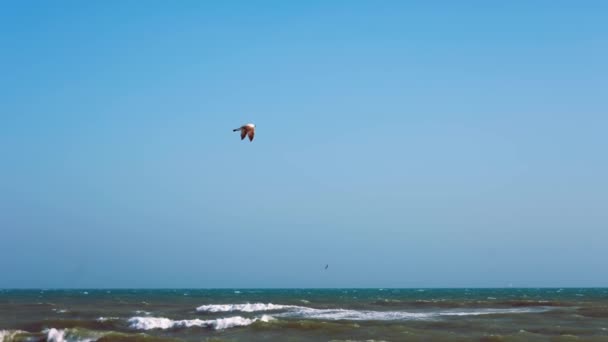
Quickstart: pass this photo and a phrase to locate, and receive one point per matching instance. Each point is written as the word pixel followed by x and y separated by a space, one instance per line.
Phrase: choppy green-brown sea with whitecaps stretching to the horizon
pixel 379 314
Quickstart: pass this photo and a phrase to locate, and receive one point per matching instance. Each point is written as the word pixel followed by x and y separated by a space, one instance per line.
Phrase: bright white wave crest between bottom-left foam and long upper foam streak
pixel 150 323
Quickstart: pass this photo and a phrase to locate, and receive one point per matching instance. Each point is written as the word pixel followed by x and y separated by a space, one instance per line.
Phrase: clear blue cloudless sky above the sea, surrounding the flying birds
pixel 404 143
